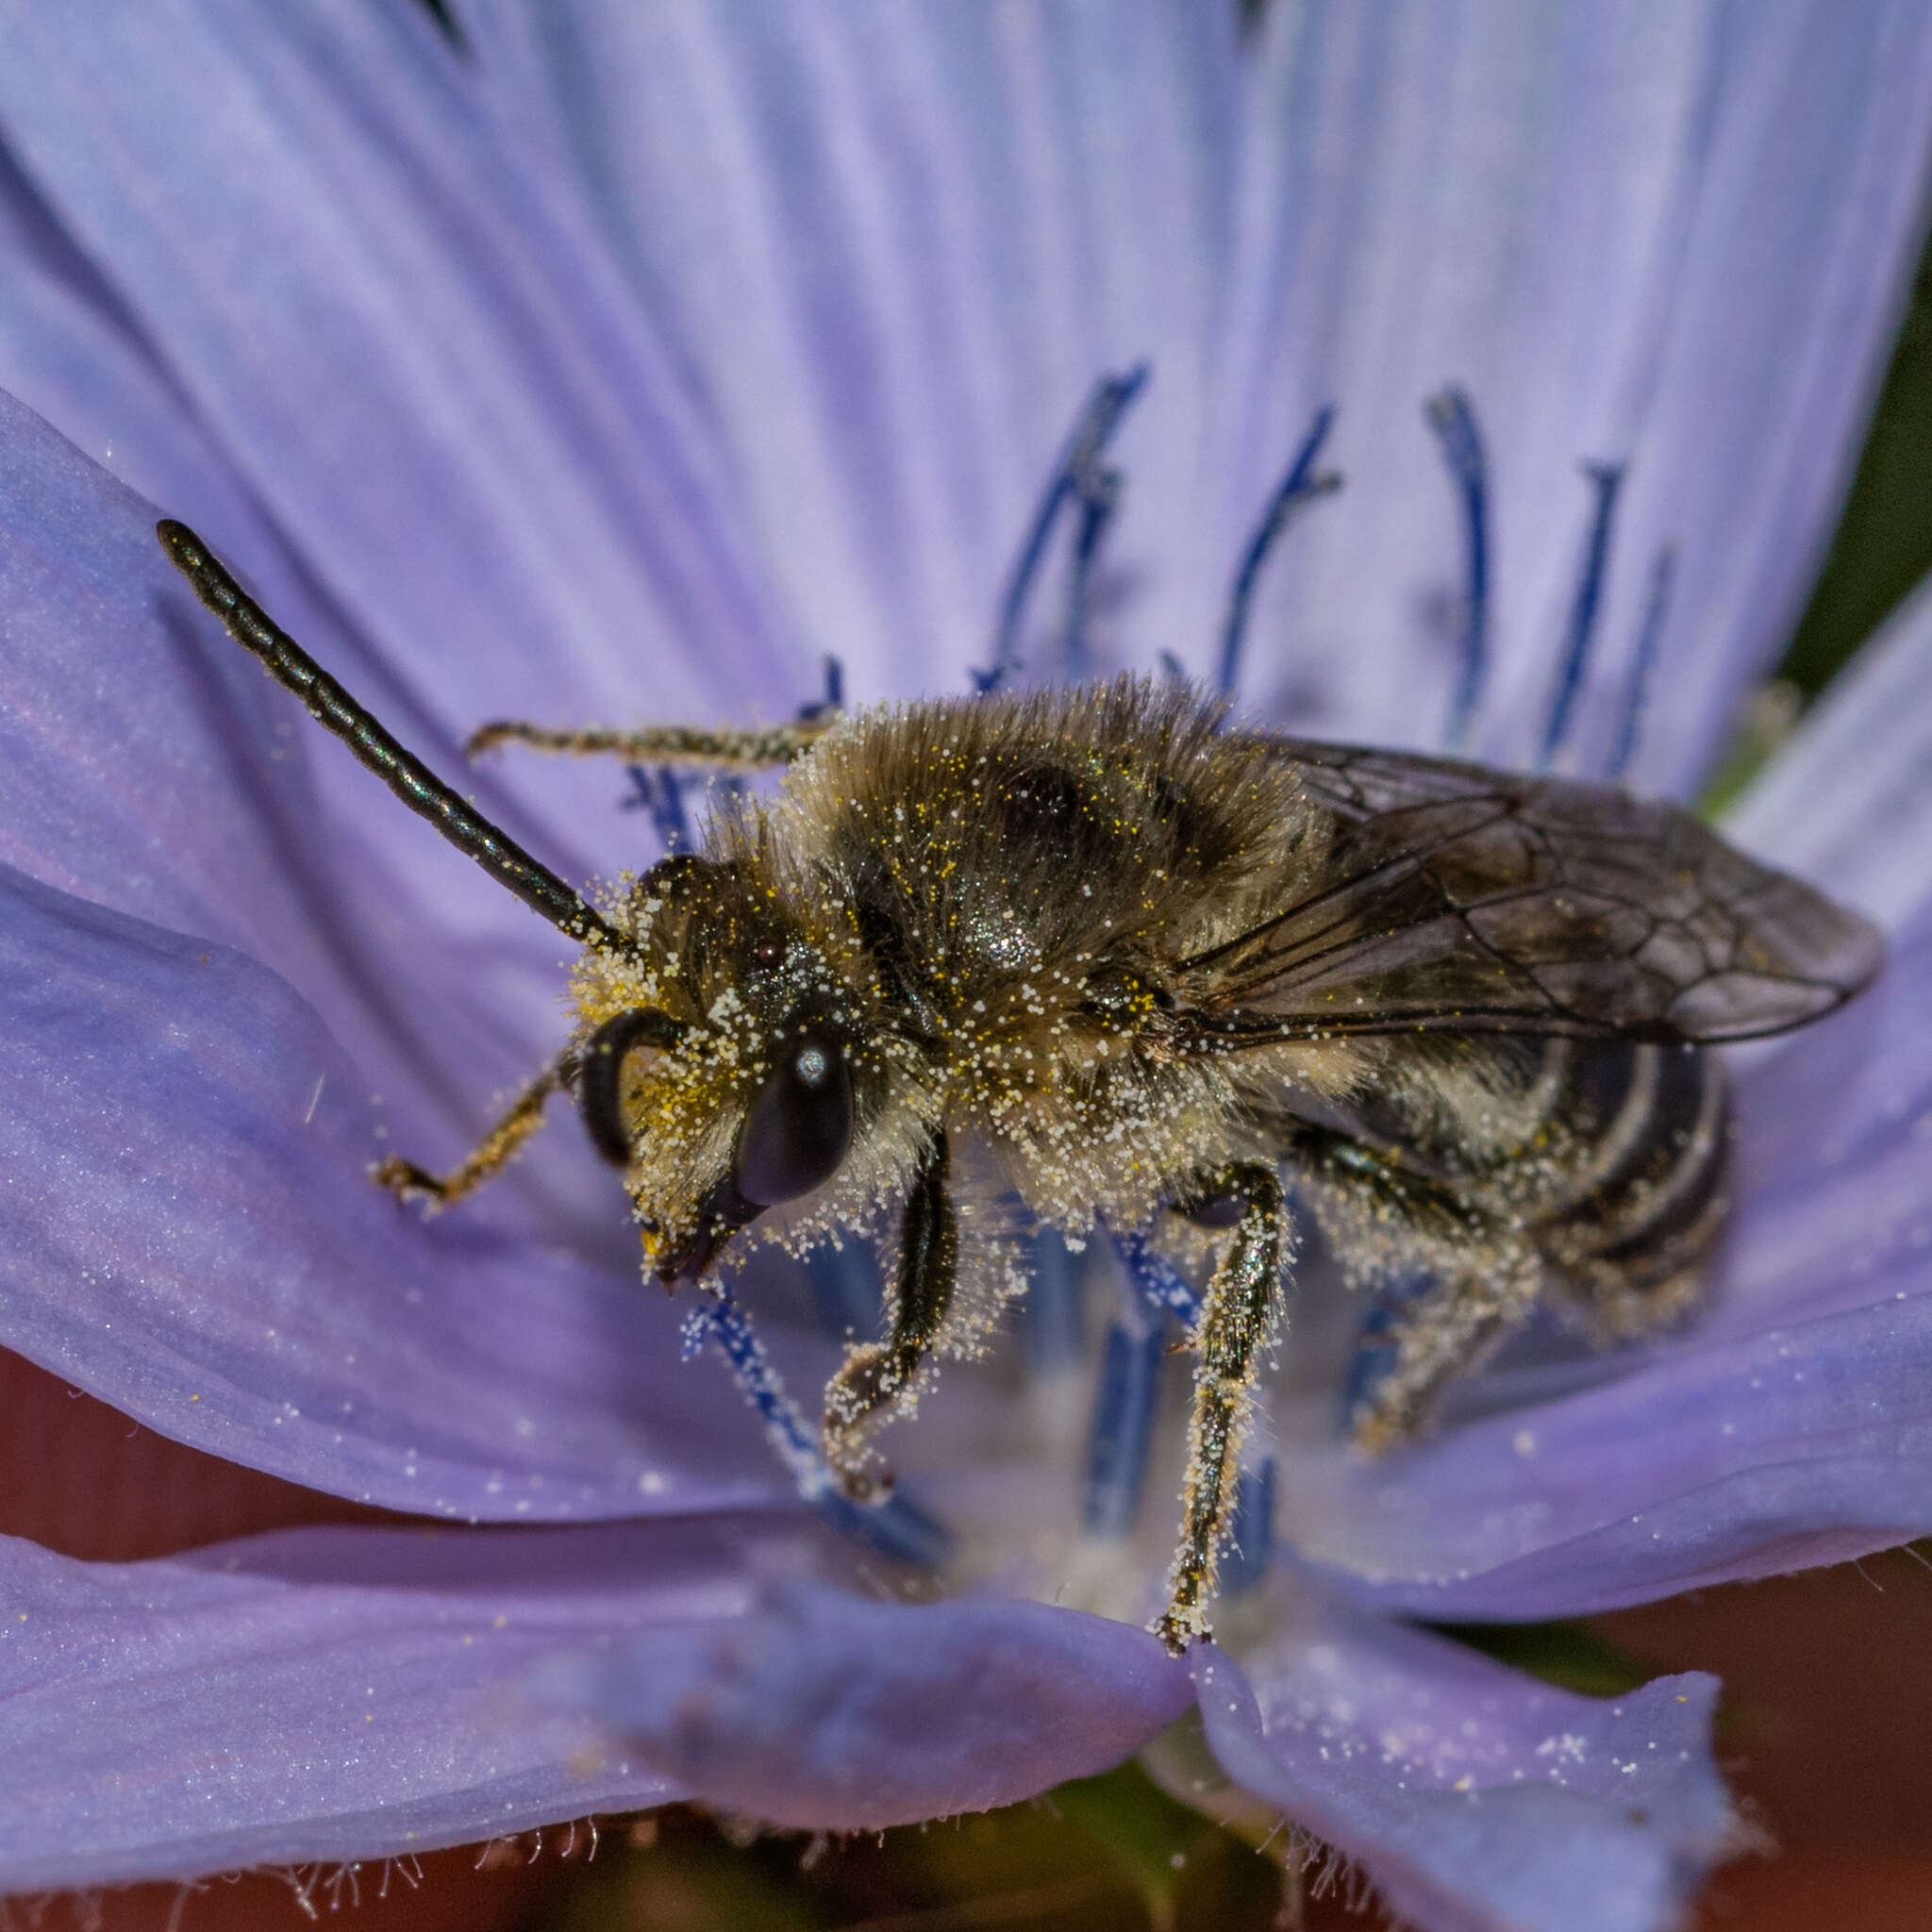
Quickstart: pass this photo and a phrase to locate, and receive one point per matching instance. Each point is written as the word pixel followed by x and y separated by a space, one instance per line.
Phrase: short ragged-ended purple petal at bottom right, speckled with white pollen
pixel 1475 1800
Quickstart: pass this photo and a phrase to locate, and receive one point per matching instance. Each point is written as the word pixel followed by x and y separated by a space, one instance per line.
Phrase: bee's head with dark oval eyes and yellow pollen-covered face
pixel 714 1060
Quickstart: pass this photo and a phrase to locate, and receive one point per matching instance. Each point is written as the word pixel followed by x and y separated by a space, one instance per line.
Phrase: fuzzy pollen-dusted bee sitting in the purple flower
pixel 1110 953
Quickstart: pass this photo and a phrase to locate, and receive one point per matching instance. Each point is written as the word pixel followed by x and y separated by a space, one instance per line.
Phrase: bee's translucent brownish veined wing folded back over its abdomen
pixel 1456 899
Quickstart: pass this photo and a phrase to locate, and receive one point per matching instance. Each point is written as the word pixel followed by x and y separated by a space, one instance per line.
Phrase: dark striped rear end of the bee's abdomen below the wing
pixel 1645 1191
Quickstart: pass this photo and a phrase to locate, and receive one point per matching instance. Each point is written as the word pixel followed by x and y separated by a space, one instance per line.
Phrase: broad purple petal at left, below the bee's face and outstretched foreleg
pixel 196 1241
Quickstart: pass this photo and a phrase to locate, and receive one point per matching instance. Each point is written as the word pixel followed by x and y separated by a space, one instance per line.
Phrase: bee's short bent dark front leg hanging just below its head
pixel 874 1377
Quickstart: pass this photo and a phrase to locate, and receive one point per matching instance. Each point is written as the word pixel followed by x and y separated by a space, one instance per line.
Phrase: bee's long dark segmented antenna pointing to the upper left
pixel 403 772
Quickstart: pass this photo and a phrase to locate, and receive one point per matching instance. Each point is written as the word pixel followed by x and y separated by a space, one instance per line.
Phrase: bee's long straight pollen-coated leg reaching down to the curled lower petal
pixel 1236 1326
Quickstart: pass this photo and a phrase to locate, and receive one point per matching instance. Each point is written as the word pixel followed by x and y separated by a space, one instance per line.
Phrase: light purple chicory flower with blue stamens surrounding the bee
pixel 623 362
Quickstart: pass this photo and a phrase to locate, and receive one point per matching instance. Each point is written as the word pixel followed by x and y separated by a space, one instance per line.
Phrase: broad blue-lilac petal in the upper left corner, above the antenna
pixel 405 341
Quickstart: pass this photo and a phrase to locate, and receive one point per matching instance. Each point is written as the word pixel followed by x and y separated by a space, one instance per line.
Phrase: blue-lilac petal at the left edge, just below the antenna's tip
pixel 140 764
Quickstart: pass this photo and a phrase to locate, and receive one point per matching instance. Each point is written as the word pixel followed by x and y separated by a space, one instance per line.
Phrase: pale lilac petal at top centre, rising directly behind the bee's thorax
pixel 901 246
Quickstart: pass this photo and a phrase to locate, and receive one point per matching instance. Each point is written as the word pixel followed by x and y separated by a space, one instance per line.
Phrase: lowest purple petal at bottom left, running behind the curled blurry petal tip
pixel 320 1693
